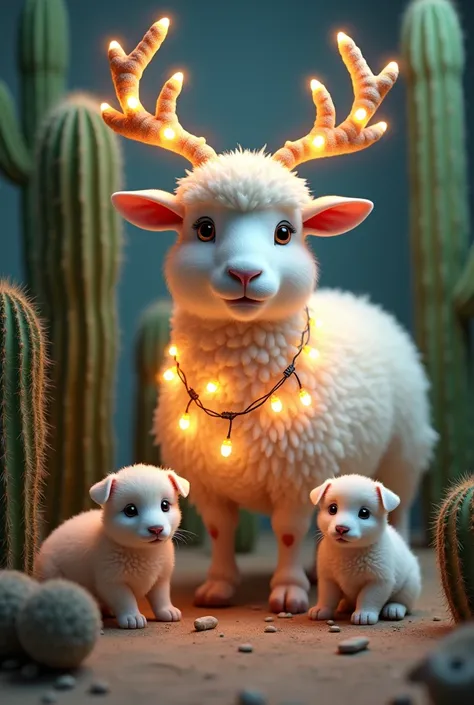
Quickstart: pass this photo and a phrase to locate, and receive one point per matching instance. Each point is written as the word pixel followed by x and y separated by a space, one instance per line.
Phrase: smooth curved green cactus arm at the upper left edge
pixel 15 161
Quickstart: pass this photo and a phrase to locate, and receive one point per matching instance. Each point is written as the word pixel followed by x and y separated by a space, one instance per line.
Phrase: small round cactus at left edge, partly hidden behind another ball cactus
pixel 15 589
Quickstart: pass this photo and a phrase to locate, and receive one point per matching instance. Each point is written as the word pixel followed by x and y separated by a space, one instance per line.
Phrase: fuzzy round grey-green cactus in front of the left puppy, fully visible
pixel 59 625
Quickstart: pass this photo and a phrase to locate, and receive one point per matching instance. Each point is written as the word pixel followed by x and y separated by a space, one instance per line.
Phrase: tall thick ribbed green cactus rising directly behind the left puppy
pixel 78 246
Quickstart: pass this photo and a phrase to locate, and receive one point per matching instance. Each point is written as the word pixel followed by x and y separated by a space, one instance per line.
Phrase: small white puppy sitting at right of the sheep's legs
pixel 362 562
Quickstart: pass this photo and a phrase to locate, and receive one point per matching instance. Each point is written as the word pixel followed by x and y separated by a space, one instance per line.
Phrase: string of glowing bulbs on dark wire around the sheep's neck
pixel 212 387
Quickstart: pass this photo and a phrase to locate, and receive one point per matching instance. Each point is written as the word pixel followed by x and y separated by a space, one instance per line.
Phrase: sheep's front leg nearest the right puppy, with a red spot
pixel 290 584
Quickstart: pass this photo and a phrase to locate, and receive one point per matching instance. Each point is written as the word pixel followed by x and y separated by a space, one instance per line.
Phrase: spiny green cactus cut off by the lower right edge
pixel 455 549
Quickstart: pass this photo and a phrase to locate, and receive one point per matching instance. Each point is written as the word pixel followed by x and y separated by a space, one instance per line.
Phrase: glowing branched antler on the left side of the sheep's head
pixel 162 129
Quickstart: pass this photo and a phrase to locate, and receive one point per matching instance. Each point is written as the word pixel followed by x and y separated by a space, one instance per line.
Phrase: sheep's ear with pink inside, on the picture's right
pixel 334 215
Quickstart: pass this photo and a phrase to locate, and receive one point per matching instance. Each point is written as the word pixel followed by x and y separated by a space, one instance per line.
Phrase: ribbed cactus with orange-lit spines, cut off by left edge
pixel 22 428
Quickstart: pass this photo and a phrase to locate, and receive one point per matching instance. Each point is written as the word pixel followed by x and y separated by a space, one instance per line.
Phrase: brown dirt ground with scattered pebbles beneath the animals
pixel 298 665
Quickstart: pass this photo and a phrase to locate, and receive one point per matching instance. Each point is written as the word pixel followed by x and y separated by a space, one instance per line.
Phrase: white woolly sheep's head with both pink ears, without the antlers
pixel 242 221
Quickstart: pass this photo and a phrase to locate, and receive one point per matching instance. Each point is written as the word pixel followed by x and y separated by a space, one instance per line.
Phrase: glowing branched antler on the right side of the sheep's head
pixel 353 134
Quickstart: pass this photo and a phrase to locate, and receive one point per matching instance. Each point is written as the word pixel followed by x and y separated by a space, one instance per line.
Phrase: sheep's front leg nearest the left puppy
pixel 221 519
